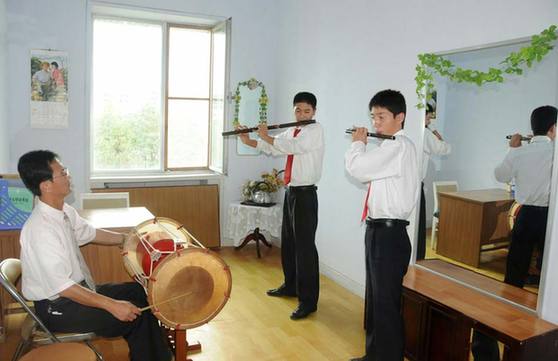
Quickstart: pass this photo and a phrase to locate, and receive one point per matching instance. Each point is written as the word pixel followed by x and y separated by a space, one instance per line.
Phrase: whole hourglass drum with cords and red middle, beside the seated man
pixel 186 284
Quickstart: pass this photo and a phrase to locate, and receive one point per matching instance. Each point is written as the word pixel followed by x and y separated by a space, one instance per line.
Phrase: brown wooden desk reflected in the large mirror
pixel 470 219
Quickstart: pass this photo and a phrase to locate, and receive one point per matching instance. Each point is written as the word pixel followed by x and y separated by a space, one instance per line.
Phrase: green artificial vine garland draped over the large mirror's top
pixel 512 64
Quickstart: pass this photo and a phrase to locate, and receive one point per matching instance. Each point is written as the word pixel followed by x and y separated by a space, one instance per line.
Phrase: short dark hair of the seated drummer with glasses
pixel 34 168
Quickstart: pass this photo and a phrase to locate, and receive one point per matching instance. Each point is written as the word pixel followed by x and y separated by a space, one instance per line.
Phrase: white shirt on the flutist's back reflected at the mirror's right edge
pixel 530 166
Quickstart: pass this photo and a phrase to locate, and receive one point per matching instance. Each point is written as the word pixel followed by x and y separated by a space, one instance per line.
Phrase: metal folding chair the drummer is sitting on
pixel 33 330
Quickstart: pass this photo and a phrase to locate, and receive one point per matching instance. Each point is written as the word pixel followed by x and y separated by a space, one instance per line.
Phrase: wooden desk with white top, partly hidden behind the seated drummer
pixel 105 262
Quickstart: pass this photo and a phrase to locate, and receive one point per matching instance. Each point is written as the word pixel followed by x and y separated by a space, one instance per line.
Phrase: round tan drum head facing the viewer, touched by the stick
pixel 189 288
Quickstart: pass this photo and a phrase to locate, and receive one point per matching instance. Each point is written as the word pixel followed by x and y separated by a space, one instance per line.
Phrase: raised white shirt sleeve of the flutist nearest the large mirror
pixel 379 163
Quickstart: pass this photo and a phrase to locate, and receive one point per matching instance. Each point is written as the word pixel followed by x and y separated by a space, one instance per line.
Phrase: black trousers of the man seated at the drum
pixel 143 335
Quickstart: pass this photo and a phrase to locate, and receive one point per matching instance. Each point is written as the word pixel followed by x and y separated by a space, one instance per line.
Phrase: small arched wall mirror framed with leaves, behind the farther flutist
pixel 250 109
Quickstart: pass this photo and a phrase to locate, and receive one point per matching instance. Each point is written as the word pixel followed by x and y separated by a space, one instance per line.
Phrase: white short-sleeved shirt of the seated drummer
pixel 50 255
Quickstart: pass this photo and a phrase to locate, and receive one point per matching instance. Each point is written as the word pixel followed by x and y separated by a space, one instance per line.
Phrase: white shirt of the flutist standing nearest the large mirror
pixel 392 169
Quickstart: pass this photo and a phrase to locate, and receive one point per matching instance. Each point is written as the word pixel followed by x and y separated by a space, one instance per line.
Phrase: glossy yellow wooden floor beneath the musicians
pixel 254 326
